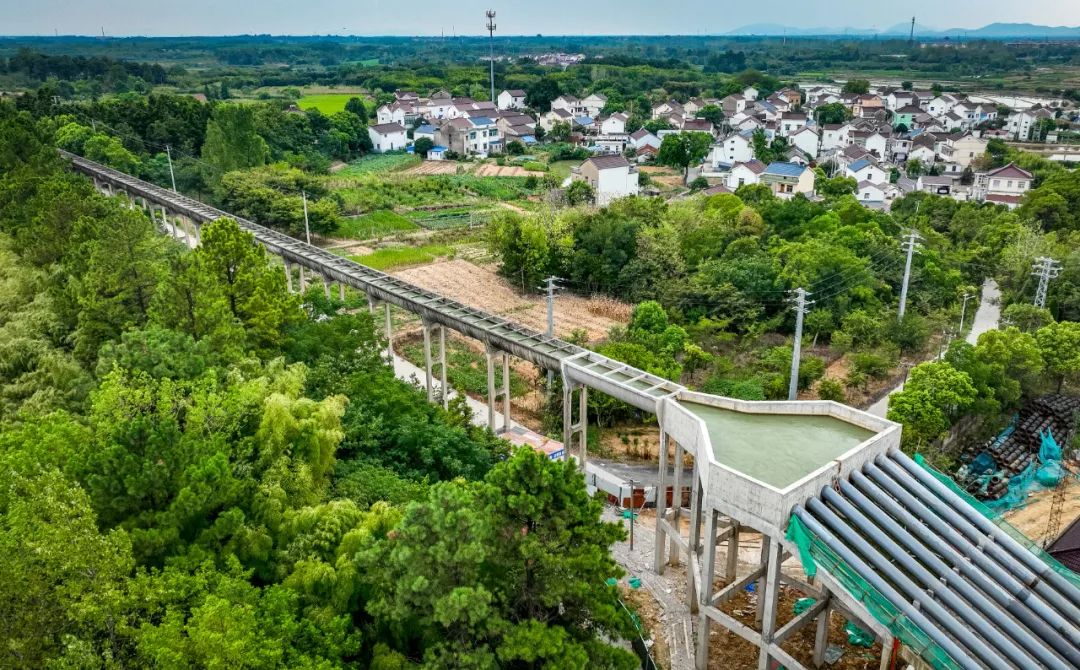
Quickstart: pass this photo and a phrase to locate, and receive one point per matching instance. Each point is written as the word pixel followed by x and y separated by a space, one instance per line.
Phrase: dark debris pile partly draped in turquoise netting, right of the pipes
pixel 1025 454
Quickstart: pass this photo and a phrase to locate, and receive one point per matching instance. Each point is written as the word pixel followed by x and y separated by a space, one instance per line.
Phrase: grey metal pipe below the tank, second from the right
pixel 971 553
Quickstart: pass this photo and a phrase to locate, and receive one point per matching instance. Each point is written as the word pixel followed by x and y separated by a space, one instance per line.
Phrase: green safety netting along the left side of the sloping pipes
pixel 814 553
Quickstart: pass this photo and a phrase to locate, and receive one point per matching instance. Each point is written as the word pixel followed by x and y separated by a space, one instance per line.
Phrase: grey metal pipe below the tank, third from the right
pixel 875 501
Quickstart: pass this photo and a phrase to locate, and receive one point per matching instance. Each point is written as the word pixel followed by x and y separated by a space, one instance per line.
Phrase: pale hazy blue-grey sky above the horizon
pixel 121 18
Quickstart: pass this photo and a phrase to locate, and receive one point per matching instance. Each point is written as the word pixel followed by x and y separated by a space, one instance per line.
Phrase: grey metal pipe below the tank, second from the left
pixel 933 608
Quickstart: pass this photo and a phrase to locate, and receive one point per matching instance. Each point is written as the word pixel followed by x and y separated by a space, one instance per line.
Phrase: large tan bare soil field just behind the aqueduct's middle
pixel 481 288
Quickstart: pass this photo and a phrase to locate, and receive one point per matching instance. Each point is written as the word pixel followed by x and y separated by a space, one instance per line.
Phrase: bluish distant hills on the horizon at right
pixel 993 32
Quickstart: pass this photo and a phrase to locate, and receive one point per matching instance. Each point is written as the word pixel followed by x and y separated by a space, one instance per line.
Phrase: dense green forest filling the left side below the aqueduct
pixel 199 470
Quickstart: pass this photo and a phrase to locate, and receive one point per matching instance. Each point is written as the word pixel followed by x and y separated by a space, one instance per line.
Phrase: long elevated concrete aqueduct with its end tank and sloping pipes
pixel 896 550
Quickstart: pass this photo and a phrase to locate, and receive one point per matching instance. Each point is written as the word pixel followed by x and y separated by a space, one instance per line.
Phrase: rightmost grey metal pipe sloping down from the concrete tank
pixel 948 510
